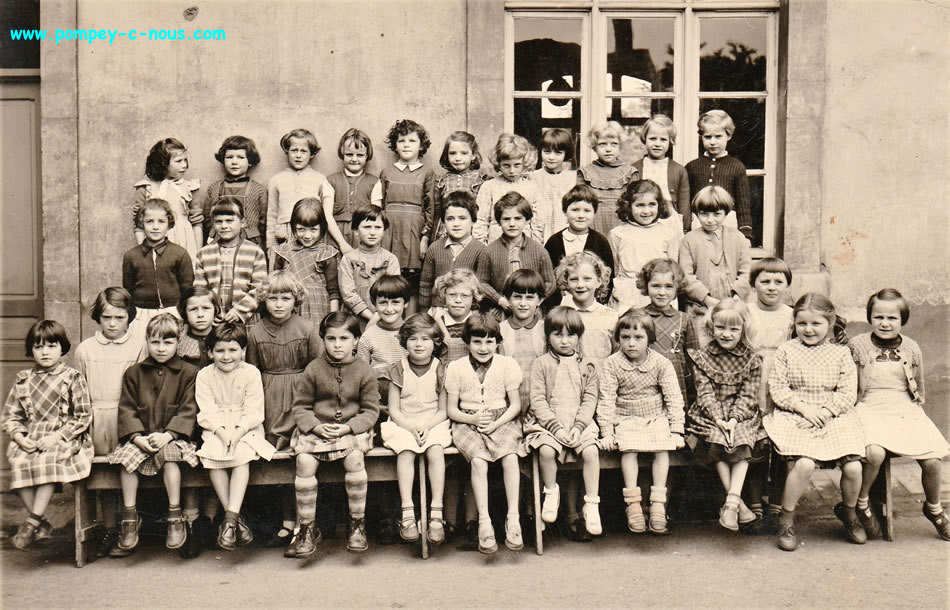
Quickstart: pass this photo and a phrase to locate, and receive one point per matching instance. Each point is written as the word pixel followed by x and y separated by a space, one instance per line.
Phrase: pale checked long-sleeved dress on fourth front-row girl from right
pixel 640 404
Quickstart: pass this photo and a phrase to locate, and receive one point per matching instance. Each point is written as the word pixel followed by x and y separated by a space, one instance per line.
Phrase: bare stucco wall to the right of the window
pixel 886 150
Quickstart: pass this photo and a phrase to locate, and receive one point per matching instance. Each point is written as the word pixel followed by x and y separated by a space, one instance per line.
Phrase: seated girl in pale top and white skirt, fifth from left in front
pixel 418 422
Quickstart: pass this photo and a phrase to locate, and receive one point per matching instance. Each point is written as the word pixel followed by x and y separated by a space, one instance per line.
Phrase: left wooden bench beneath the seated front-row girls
pixel 380 466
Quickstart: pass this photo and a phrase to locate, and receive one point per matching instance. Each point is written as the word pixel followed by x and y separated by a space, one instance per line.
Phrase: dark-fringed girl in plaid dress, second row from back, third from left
pixel 311 259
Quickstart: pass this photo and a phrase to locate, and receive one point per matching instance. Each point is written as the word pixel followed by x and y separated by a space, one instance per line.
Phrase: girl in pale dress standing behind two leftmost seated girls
pixel 102 359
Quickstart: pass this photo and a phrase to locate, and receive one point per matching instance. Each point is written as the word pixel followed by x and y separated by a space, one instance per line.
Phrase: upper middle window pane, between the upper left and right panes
pixel 640 55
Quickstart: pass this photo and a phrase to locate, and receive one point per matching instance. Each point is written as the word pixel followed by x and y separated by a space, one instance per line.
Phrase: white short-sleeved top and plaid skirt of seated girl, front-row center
pixel 475 395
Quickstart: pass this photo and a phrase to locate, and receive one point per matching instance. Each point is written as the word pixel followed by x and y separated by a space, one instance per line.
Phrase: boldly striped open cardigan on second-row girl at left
pixel 250 271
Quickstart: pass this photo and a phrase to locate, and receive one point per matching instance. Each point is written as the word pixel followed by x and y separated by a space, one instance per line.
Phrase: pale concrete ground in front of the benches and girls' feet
pixel 700 564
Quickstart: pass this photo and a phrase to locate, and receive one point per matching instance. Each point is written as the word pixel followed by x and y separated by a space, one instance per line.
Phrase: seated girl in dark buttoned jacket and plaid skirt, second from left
pixel 156 419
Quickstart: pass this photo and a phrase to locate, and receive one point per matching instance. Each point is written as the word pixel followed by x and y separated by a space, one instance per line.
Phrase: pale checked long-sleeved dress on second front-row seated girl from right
pixel 820 376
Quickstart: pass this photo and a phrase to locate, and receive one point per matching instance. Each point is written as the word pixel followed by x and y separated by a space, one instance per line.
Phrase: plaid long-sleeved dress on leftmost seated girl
pixel 43 402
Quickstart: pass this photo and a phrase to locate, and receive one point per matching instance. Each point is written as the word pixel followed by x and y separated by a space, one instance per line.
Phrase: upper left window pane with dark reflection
pixel 547 54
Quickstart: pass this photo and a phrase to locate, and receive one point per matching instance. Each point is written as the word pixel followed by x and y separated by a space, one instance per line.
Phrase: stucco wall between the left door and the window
pixel 326 67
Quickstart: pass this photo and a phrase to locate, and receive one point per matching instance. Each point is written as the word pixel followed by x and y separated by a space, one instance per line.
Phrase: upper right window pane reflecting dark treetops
pixel 732 53
